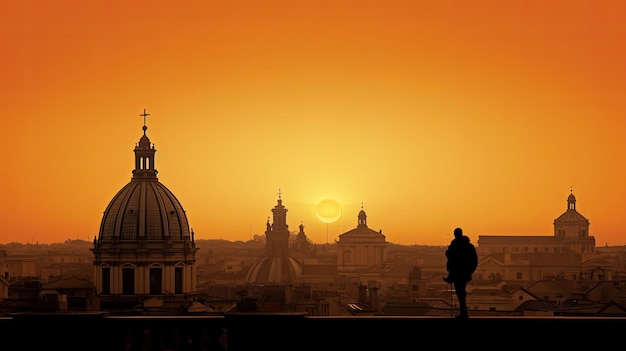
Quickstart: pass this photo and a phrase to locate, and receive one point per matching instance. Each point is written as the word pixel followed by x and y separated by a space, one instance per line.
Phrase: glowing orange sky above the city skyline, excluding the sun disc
pixel 429 114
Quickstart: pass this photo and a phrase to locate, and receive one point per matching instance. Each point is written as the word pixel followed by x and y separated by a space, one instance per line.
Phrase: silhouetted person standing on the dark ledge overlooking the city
pixel 462 262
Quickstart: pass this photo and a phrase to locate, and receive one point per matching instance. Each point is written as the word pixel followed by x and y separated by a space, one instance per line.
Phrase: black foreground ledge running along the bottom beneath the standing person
pixel 254 331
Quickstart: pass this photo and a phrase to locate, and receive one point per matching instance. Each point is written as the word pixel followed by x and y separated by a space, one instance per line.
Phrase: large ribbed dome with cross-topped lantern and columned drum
pixel 145 247
